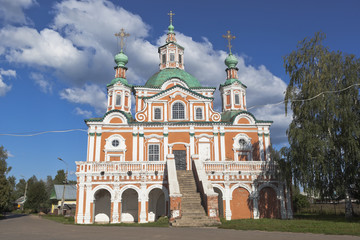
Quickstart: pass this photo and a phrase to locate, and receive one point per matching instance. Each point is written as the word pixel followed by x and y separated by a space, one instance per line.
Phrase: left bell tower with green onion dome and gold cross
pixel 119 90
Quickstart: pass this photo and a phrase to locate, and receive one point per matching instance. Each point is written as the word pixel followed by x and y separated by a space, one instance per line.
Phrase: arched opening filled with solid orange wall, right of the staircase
pixel 241 205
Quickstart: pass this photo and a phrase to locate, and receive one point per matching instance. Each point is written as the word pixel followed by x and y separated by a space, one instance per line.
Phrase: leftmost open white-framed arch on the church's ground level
pixel 102 206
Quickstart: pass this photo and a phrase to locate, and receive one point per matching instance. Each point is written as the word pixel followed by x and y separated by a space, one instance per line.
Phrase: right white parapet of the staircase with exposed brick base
pixel 204 186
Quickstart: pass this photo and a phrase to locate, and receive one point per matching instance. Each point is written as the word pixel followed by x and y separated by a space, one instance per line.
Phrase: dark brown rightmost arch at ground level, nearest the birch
pixel 268 203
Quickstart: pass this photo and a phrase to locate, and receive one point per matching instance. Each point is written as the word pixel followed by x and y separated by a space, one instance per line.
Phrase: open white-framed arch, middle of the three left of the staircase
pixel 129 206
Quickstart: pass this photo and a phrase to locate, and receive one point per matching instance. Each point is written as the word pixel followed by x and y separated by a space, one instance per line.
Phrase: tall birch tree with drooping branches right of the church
pixel 324 135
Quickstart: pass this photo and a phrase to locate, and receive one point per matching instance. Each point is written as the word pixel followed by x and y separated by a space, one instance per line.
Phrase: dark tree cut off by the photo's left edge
pixel 5 185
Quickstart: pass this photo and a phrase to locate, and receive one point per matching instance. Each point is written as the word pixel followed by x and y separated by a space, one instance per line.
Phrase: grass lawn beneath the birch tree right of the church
pixel 306 223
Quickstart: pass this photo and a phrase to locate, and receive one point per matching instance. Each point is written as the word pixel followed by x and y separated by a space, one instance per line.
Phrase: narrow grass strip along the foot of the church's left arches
pixel 161 222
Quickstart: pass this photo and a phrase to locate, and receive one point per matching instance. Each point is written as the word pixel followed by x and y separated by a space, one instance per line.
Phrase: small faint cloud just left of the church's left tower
pixel 90 94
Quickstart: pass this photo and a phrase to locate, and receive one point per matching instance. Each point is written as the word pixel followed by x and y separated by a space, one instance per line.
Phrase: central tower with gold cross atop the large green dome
pixel 171 54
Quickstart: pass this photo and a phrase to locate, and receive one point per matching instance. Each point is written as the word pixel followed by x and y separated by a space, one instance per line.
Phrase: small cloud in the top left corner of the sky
pixel 12 11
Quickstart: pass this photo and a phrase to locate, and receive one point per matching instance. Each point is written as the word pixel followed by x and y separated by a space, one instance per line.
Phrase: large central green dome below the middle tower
pixel 168 73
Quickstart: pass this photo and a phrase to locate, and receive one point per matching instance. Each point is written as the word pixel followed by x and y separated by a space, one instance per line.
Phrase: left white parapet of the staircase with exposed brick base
pixel 174 189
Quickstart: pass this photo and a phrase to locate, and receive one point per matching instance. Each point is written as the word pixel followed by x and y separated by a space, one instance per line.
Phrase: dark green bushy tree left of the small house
pixel 37 197
